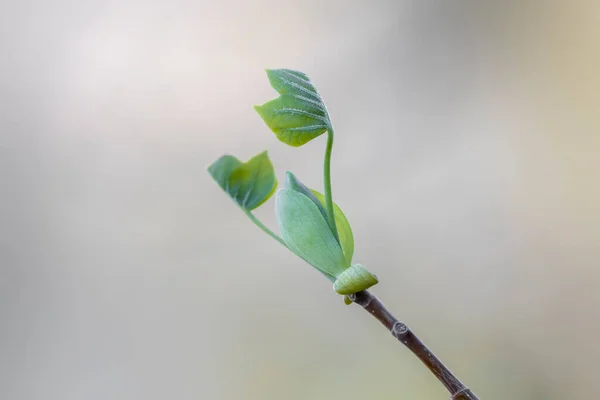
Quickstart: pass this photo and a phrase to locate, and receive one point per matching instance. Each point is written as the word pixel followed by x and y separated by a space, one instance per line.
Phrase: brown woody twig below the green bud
pixel 403 333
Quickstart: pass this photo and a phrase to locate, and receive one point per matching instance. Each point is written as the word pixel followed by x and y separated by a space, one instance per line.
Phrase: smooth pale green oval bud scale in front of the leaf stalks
pixel 307 234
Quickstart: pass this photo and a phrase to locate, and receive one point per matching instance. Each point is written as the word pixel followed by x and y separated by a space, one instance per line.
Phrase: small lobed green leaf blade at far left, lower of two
pixel 249 184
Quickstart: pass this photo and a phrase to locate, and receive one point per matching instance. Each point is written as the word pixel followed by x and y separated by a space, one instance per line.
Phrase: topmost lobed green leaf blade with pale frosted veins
pixel 299 114
